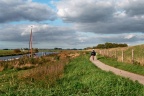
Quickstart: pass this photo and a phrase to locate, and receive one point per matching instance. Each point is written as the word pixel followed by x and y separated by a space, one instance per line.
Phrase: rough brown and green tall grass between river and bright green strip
pixel 35 81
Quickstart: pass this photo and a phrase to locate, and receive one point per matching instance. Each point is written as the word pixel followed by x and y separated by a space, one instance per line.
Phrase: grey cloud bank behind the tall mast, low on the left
pixel 42 33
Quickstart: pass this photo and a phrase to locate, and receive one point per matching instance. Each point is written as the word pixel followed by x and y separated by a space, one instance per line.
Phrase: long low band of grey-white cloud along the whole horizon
pixel 47 36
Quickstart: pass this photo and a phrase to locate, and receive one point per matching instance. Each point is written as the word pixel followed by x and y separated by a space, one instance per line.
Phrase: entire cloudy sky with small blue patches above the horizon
pixel 70 23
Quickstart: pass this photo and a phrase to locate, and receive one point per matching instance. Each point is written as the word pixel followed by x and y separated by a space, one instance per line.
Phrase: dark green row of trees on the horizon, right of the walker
pixel 109 45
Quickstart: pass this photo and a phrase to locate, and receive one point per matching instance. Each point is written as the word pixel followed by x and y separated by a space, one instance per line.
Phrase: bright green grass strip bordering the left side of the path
pixel 82 78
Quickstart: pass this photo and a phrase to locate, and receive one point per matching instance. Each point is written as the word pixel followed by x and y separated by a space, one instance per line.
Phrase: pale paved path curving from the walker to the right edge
pixel 116 71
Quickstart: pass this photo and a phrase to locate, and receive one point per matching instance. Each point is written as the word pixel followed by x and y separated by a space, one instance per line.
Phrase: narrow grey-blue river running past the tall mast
pixel 18 56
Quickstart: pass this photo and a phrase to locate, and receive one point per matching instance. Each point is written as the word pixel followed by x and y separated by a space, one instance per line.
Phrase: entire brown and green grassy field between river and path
pixel 75 77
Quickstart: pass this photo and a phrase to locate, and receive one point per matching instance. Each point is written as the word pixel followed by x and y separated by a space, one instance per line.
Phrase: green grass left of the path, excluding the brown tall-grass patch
pixel 80 78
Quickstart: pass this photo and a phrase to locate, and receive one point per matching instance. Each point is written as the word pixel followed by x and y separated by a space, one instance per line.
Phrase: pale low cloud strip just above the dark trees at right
pixel 119 38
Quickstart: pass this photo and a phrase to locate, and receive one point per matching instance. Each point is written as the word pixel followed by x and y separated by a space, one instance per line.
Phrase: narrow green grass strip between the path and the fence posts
pixel 134 68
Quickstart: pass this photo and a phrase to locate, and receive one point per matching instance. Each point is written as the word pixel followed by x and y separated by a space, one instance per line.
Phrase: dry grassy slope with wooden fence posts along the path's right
pixel 128 55
